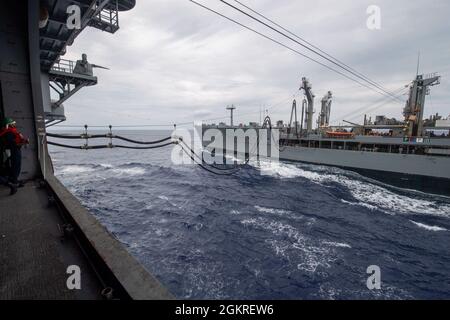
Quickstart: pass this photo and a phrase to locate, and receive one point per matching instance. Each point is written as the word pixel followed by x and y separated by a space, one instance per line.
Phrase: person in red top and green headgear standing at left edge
pixel 11 141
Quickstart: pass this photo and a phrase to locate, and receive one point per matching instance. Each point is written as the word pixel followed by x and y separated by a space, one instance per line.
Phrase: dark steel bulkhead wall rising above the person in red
pixel 17 80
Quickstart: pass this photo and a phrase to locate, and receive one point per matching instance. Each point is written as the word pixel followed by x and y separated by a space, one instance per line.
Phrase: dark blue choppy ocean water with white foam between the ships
pixel 299 231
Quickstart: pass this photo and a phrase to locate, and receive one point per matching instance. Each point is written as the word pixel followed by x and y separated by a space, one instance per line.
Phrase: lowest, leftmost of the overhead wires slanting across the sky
pixel 289 48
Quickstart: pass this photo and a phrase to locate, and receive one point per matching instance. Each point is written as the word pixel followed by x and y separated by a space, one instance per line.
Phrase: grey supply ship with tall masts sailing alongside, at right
pixel 406 153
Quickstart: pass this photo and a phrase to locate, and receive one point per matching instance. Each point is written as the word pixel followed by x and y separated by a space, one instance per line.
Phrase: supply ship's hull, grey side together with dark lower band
pixel 428 173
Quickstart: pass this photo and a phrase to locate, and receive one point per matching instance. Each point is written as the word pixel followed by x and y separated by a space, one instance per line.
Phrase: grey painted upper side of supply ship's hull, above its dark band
pixel 412 164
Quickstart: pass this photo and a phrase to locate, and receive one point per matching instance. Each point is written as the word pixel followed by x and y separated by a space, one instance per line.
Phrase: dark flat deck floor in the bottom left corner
pixel 33 254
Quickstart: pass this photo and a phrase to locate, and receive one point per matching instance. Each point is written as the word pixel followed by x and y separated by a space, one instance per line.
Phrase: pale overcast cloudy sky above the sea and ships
pixel 173 62
